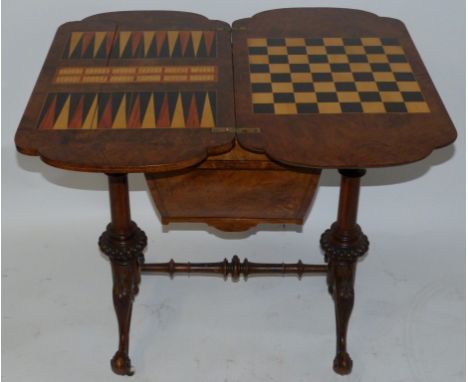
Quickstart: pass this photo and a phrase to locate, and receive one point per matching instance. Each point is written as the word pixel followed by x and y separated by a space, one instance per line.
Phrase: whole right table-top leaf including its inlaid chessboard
pixel 334 88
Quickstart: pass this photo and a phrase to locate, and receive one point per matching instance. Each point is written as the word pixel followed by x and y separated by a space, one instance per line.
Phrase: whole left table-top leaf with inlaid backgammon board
pixel 132 92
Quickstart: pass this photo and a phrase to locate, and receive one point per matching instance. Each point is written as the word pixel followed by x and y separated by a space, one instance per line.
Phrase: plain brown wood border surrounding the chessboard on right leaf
pixel 336 140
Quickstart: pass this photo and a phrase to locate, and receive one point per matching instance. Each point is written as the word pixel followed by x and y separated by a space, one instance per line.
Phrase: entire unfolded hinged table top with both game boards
pixel 154 91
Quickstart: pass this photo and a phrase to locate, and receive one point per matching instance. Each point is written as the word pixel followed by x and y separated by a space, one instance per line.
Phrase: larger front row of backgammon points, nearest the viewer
pixel 119 110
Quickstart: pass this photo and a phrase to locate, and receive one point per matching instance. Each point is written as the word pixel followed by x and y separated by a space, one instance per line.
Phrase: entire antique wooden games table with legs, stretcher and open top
pixel 231 127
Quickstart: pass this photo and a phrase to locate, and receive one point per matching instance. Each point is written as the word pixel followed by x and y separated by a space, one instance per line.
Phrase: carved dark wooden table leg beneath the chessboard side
pixel 343 244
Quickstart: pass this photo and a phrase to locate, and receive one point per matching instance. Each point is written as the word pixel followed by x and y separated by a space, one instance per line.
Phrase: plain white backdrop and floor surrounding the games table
pixel 58 321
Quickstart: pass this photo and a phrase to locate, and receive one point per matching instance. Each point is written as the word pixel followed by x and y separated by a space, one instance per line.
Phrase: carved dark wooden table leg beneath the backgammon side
pixel 123 242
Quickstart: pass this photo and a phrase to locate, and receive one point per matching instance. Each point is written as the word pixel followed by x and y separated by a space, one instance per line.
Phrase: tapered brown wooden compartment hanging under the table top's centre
pixel 234 192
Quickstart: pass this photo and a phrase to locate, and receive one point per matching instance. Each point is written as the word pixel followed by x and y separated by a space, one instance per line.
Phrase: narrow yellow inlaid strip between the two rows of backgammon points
pixel 141 74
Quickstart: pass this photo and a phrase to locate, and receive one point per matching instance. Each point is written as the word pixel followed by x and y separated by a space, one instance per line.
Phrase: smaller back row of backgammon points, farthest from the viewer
pixel 141 44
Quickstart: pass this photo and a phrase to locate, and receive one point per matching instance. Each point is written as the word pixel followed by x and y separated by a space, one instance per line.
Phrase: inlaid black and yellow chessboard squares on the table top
pixel 332 75
